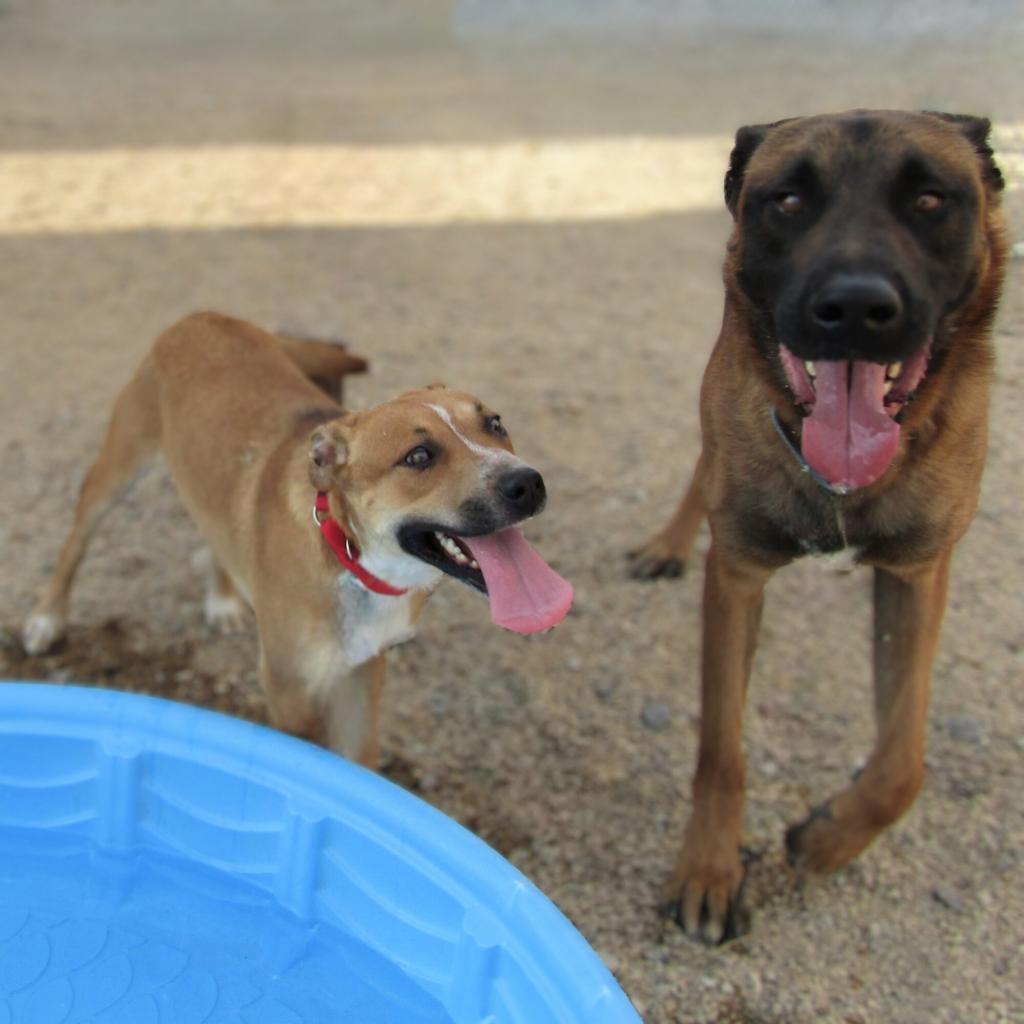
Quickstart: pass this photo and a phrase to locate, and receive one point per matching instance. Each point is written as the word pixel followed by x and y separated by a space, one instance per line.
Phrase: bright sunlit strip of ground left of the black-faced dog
pixel 355 186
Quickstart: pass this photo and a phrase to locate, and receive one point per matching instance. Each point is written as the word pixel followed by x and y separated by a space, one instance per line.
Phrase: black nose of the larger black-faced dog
pixel 857 310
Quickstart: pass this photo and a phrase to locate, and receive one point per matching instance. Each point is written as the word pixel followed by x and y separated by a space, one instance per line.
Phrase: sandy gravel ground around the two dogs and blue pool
pixel 570 753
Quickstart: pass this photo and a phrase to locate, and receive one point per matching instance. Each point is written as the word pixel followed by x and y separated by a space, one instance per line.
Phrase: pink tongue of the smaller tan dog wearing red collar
pixel 527 594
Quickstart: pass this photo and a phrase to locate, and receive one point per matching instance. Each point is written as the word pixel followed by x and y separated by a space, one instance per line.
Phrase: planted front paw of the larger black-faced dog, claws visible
pixel 705 899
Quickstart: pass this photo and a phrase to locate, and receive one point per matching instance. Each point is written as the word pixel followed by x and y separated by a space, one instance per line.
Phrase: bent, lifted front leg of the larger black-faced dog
pixel 909 608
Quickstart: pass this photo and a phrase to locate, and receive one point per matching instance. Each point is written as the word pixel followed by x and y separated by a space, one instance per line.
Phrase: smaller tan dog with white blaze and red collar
pixel 422 487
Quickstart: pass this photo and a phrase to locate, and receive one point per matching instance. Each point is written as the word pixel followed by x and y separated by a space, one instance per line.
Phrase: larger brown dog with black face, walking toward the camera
pixel 844 409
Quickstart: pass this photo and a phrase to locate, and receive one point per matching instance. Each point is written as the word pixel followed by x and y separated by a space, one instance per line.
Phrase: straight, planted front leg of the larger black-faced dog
pixel 704 892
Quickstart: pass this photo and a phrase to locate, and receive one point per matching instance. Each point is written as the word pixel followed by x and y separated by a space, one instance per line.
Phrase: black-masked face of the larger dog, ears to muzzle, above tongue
pixel 860 234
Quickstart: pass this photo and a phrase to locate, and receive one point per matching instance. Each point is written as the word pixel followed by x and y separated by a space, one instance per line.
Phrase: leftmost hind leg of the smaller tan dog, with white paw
pixel 133 437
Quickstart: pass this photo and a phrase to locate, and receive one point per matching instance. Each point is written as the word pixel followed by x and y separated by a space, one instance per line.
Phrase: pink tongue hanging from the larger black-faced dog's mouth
pixel 848 438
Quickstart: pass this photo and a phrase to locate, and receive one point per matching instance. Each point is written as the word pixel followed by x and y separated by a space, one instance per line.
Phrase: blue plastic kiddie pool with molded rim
pixel 161 865
